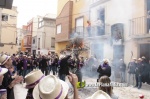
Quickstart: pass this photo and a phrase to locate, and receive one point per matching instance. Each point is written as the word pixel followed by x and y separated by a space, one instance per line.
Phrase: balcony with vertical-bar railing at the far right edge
pixel 140 27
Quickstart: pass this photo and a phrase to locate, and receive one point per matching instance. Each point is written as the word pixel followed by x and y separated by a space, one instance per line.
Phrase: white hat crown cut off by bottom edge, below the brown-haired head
pixel 99 95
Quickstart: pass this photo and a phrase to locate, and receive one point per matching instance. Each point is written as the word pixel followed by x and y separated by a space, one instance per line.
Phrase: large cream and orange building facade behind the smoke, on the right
pixel 112 29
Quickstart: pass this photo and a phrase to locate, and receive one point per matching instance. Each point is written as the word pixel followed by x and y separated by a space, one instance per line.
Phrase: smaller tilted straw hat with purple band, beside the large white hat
pixel 33 78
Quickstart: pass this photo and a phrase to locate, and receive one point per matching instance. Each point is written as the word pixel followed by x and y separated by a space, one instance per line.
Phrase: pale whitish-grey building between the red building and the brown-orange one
pixel 45 39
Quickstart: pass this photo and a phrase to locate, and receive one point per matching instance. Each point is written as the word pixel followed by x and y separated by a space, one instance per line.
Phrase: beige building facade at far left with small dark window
pixel 8 27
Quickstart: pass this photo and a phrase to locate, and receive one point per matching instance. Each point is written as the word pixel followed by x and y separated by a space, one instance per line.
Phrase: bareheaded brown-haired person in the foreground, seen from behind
pixel 105 80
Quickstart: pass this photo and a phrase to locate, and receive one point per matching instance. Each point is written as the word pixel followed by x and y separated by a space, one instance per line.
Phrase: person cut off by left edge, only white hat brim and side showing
pixel 3 94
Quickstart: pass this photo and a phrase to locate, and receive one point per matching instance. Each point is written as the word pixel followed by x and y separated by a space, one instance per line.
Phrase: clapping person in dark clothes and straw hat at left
pixel 8 82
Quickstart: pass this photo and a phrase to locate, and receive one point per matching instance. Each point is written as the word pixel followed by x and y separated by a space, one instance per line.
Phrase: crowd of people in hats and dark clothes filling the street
pixel 34 71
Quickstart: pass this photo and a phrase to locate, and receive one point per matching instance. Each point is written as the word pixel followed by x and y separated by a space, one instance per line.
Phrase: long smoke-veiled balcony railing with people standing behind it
pixel 93 31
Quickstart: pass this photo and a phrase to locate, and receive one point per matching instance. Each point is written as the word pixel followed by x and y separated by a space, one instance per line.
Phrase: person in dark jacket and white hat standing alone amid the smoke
pixel 104 69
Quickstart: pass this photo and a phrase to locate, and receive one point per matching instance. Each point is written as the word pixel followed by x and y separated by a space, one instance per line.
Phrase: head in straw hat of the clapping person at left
pixel 6 61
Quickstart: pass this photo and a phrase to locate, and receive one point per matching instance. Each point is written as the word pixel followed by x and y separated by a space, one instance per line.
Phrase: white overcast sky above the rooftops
pixel 27 9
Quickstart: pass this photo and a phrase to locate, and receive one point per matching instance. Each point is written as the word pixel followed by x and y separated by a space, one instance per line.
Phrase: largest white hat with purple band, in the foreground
pixel 50 87
